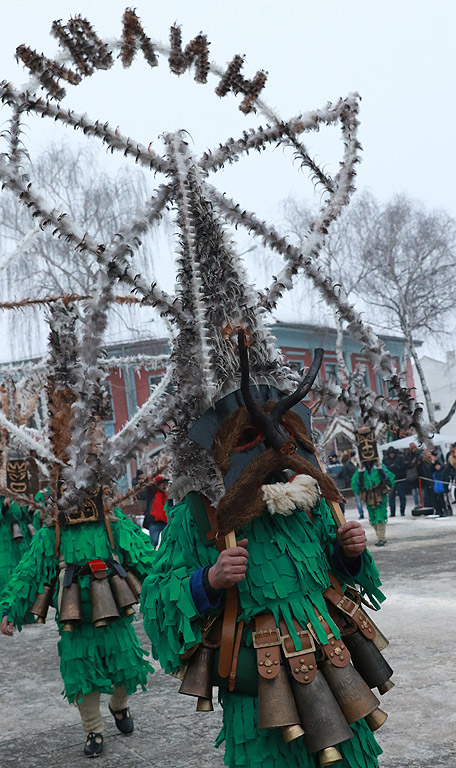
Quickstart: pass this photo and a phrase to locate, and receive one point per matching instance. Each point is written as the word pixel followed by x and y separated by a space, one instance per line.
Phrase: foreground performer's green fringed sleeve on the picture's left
pixel 170 616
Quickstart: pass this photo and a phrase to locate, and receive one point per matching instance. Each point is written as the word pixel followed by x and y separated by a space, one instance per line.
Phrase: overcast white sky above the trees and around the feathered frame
pixel 399 54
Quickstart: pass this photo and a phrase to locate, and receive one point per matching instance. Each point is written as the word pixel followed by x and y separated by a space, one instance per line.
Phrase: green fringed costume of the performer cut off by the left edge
pixel 12 551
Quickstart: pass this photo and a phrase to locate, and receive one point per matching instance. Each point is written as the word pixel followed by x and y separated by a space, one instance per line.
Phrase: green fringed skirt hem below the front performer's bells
pixel 248 747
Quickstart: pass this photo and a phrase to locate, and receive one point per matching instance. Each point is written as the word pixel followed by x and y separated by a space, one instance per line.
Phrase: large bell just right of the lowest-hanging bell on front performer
pixel 353 695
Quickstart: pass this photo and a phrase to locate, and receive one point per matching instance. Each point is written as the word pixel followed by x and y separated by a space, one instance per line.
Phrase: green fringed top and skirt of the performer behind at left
pixel 91 659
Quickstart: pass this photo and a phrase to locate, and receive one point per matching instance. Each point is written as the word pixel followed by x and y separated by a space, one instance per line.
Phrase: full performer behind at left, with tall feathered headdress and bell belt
pixel 89 563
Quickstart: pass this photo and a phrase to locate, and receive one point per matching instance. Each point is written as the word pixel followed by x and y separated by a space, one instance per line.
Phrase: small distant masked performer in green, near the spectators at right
pixel 372 483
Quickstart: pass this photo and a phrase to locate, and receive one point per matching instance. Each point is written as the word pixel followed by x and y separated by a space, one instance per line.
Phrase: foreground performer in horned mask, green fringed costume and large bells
pixel 257 593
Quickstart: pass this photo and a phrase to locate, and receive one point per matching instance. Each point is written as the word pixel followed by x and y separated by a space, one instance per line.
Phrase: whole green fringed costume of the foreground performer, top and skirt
pixel 287 572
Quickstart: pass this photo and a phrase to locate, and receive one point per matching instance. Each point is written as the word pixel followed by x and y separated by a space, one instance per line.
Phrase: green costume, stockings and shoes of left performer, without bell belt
pixel 93 660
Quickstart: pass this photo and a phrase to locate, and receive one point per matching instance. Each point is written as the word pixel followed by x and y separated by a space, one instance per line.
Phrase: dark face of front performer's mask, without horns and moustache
pixel 227 431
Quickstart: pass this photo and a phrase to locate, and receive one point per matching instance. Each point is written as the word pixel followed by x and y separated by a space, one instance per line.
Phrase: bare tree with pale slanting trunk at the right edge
pixel 408 270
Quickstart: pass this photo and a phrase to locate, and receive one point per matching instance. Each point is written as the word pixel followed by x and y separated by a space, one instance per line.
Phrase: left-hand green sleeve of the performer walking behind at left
pixel 36 568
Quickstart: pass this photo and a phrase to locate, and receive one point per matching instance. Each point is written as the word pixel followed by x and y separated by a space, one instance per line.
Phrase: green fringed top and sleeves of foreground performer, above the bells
pixel 287 572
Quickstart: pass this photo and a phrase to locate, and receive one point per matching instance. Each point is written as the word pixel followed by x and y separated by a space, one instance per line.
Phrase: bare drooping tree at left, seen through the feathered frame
pixel 33 262
